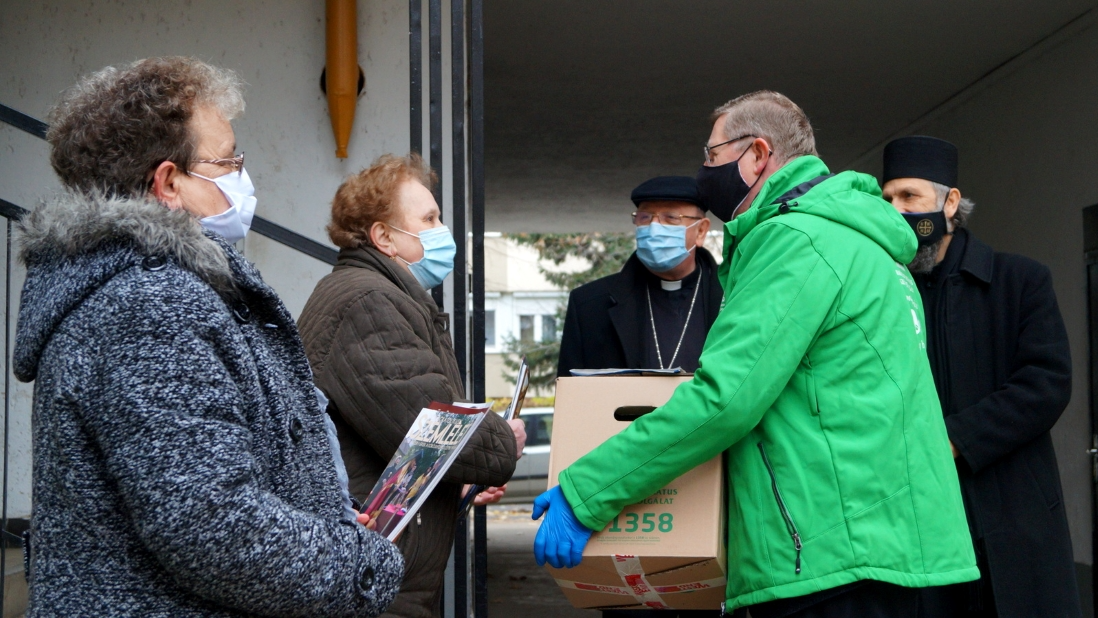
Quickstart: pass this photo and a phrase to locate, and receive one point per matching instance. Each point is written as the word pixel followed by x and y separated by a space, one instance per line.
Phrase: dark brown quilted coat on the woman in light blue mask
pixel 382 351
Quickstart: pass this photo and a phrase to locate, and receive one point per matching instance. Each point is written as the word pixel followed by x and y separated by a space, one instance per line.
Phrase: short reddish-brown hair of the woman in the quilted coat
pixel 371 196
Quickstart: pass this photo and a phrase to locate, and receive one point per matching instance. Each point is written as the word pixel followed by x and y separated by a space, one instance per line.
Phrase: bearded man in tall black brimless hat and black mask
pixel 999 353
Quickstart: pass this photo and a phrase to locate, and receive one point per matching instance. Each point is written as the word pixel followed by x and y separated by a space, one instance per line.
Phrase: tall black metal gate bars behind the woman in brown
pixel 466 216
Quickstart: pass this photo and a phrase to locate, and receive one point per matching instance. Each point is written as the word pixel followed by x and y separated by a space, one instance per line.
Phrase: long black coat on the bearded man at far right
pixel 1007 380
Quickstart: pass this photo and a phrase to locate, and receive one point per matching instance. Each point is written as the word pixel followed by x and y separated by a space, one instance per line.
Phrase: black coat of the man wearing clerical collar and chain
pixel 608 320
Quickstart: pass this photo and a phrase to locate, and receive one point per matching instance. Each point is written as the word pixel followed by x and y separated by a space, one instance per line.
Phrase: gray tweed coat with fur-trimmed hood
pixel 181 460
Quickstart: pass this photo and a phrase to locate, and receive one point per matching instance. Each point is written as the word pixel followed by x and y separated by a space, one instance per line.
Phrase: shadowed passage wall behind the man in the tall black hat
pixel 1028 159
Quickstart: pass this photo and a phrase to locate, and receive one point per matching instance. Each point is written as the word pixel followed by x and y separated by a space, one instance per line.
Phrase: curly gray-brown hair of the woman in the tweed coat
pixel 111 131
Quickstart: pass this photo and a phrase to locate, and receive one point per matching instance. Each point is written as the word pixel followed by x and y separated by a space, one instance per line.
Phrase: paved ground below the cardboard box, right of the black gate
pixel 517 586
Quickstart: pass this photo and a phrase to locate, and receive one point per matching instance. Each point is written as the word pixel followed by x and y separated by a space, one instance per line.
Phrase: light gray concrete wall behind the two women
pixel 278 49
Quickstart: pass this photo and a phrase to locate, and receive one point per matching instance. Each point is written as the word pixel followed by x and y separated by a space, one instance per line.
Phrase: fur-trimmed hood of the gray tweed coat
pixel 73 245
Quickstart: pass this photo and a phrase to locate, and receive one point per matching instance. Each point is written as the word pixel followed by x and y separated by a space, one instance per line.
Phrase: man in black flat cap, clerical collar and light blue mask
pixel 658 310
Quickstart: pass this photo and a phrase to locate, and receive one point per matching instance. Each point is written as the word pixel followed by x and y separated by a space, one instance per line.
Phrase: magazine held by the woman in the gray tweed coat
pixel 428 452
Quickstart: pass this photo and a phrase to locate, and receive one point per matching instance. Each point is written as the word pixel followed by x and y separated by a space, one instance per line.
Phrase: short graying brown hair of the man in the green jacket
pixel 772 117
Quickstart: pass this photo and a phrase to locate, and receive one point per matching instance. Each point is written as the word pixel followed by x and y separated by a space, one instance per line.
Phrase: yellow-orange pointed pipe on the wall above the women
pixel 342 70
